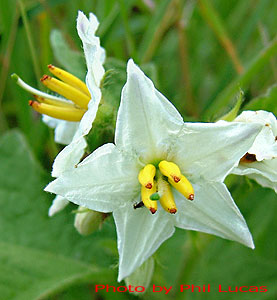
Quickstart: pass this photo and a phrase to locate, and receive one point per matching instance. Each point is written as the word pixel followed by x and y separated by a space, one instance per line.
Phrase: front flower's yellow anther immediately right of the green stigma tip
pixel 167 199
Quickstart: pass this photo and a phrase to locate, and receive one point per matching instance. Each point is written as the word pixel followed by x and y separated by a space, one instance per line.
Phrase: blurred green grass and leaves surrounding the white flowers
pixel 199 54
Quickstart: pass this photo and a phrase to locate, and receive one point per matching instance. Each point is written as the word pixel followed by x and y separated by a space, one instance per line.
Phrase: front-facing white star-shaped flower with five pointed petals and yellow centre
pixel 151 136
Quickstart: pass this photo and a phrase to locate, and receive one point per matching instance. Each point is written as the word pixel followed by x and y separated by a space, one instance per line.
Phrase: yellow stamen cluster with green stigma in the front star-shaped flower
pixel 156 185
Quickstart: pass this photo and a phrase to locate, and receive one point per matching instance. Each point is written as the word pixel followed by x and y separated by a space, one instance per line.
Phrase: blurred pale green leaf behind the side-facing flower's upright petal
pixel 72 61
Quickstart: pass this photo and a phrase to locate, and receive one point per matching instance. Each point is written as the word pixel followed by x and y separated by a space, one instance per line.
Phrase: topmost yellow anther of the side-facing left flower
pixel 69 79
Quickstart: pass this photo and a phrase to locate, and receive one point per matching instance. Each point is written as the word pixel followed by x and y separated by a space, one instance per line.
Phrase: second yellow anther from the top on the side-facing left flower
pixel 66 90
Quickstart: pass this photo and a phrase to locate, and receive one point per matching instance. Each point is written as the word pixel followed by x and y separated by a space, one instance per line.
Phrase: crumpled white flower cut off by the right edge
pixel 260 162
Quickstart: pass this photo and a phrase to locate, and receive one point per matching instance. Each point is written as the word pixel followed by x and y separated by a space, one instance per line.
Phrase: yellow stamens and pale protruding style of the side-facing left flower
pixel 74 90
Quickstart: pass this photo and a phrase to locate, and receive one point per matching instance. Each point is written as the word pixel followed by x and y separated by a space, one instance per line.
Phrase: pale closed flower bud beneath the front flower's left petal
pixel 87 221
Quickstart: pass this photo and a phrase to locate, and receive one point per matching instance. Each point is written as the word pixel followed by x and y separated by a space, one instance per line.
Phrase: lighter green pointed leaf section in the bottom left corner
pixel 32 274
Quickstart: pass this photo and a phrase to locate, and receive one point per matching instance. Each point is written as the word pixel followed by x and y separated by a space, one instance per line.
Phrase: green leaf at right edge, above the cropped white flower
pixel 265 102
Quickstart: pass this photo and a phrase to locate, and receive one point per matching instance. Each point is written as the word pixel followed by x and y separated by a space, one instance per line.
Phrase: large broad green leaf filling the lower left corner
pixel 41 255
